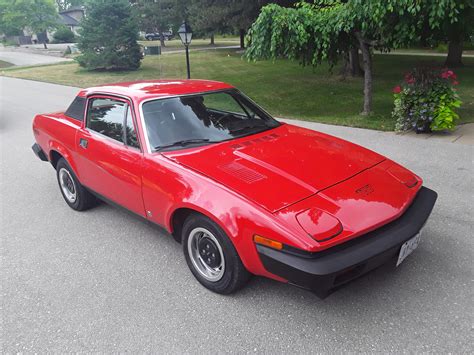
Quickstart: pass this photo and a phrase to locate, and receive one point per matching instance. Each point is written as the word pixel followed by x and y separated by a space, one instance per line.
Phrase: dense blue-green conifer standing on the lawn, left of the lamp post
pixel 109 36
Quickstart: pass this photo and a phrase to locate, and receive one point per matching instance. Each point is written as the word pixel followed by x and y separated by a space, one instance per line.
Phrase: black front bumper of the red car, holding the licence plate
pixel 323 272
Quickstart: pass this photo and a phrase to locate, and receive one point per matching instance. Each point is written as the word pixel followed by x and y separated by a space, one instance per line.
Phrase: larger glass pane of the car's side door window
pixel 106 116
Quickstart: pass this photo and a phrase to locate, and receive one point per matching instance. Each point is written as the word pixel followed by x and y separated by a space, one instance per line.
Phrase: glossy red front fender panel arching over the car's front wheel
pixel 168 187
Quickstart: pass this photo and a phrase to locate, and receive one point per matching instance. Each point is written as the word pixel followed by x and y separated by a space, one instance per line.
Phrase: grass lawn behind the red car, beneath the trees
pixel 284 88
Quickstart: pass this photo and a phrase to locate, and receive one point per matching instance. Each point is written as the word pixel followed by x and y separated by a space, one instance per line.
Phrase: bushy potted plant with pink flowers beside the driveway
pixel 426 100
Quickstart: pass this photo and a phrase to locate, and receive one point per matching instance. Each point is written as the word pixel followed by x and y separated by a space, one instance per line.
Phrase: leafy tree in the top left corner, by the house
pixel 40 16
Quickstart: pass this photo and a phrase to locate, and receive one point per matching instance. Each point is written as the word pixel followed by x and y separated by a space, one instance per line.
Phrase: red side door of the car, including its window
pixel 110 159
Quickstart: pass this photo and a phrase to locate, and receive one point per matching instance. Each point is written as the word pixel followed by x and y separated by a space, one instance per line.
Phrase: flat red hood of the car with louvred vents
pixel 279 167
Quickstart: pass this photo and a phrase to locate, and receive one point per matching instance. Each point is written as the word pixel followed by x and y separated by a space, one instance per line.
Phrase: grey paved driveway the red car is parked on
pixel 103 280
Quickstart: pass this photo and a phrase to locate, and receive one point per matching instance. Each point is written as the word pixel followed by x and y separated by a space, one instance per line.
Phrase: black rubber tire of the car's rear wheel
pixel 83 199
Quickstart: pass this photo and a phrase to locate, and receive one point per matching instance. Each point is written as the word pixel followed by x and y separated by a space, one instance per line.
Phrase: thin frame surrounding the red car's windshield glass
pixel 152 150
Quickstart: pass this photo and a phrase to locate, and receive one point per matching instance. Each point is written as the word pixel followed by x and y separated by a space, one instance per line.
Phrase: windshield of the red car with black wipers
pixel 206 118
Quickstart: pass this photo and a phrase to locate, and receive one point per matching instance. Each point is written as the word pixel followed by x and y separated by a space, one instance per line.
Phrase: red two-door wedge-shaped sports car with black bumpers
pixel 243 193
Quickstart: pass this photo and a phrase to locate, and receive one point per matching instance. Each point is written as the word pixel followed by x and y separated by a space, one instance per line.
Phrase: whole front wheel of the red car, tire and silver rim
pixel 211 256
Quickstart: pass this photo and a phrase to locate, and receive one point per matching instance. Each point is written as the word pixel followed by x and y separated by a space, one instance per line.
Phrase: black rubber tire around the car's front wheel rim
pixel 234 276
